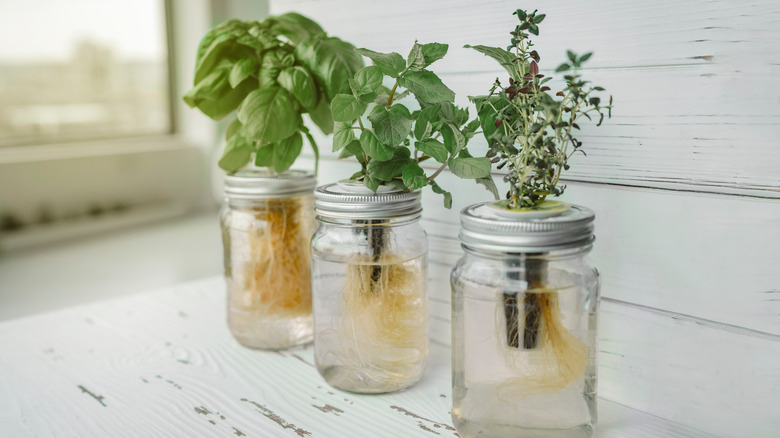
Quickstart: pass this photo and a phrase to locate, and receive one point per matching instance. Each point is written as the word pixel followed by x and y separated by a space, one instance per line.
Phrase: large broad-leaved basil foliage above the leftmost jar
pixel 271 72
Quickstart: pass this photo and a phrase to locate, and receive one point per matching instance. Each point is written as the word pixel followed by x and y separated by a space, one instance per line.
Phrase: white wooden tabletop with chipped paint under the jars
pixel 164 364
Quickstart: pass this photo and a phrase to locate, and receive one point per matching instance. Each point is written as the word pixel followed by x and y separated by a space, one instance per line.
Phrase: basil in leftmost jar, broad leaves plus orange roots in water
pixel 270 73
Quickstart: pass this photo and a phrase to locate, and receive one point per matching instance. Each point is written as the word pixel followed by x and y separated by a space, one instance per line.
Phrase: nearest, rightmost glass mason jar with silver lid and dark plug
pixel 524 317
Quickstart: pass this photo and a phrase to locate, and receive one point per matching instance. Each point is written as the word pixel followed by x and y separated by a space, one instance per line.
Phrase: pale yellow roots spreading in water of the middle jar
pixel 385 329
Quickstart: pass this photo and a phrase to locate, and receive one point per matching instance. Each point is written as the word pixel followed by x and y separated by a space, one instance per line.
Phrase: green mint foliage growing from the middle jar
pixel 391 147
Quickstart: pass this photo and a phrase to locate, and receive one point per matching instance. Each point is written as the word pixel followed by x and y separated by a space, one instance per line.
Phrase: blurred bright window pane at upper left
pixel 83 69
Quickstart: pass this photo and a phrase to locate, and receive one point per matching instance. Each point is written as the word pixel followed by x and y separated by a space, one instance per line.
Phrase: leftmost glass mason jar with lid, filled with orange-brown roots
pixel 267 223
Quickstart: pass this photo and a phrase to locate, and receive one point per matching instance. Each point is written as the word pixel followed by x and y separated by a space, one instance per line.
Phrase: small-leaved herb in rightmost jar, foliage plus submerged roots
pixel 531 132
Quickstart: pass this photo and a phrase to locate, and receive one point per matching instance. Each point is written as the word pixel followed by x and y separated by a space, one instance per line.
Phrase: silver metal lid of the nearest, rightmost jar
pixel 489 228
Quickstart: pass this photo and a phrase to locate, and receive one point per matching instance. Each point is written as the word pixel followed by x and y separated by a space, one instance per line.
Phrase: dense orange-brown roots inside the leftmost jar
pixel 275 279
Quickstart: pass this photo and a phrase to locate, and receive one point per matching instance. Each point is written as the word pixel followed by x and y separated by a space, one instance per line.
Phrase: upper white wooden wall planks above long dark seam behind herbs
pixel 696 106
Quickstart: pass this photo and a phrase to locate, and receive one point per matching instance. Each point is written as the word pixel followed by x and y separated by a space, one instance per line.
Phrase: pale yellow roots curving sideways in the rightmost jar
pixel 558 361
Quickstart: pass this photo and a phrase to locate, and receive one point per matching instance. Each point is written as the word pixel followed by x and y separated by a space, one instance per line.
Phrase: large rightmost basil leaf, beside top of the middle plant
pixel 331 60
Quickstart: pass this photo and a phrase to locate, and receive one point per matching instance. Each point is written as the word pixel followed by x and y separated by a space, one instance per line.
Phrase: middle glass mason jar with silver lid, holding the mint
pixel 369 278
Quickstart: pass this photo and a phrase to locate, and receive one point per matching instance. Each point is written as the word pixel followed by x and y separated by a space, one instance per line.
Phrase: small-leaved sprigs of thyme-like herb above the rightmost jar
pixel 529 129
